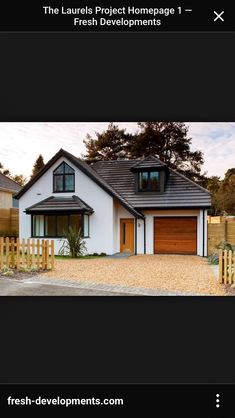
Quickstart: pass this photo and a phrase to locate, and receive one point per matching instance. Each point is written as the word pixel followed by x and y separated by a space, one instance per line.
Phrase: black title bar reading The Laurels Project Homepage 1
pixel 117 15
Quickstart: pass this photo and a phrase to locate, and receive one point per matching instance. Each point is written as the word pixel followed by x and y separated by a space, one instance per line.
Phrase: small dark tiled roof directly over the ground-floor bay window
pixel 60 204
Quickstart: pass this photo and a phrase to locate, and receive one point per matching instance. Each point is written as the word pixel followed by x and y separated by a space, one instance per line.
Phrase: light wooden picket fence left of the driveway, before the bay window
pixel 28 253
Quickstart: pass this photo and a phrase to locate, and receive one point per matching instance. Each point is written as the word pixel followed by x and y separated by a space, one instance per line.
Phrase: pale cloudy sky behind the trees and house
pixel 21 143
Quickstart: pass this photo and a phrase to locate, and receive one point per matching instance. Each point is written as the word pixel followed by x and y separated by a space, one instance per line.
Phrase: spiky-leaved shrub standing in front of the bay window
pixel 73 243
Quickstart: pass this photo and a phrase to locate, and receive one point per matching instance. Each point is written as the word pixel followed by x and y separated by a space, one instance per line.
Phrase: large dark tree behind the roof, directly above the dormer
pixel 169 142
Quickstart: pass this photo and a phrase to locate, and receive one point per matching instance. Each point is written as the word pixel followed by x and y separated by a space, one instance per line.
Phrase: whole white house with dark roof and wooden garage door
pixel 141 206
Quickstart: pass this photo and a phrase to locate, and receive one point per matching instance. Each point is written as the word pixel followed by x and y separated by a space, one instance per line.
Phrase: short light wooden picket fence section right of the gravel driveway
pixel 226 267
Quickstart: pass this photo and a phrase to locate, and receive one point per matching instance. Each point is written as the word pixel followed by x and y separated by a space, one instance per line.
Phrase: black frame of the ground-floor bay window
pixel 56 224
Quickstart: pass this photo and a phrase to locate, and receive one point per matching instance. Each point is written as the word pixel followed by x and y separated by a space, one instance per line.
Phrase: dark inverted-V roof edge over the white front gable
pixel 85 168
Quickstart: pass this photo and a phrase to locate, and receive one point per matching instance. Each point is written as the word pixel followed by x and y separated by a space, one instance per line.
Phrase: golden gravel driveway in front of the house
pixel 173 273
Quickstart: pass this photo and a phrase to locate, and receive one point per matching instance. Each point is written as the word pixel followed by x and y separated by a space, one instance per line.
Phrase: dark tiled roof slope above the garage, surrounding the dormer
pixel 179 191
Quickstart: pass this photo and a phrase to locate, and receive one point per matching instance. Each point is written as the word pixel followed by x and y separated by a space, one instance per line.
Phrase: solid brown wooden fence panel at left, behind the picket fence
pixel 9 222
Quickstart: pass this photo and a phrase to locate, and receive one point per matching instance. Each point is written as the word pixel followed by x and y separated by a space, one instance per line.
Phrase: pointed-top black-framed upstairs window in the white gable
pixel 63 179
